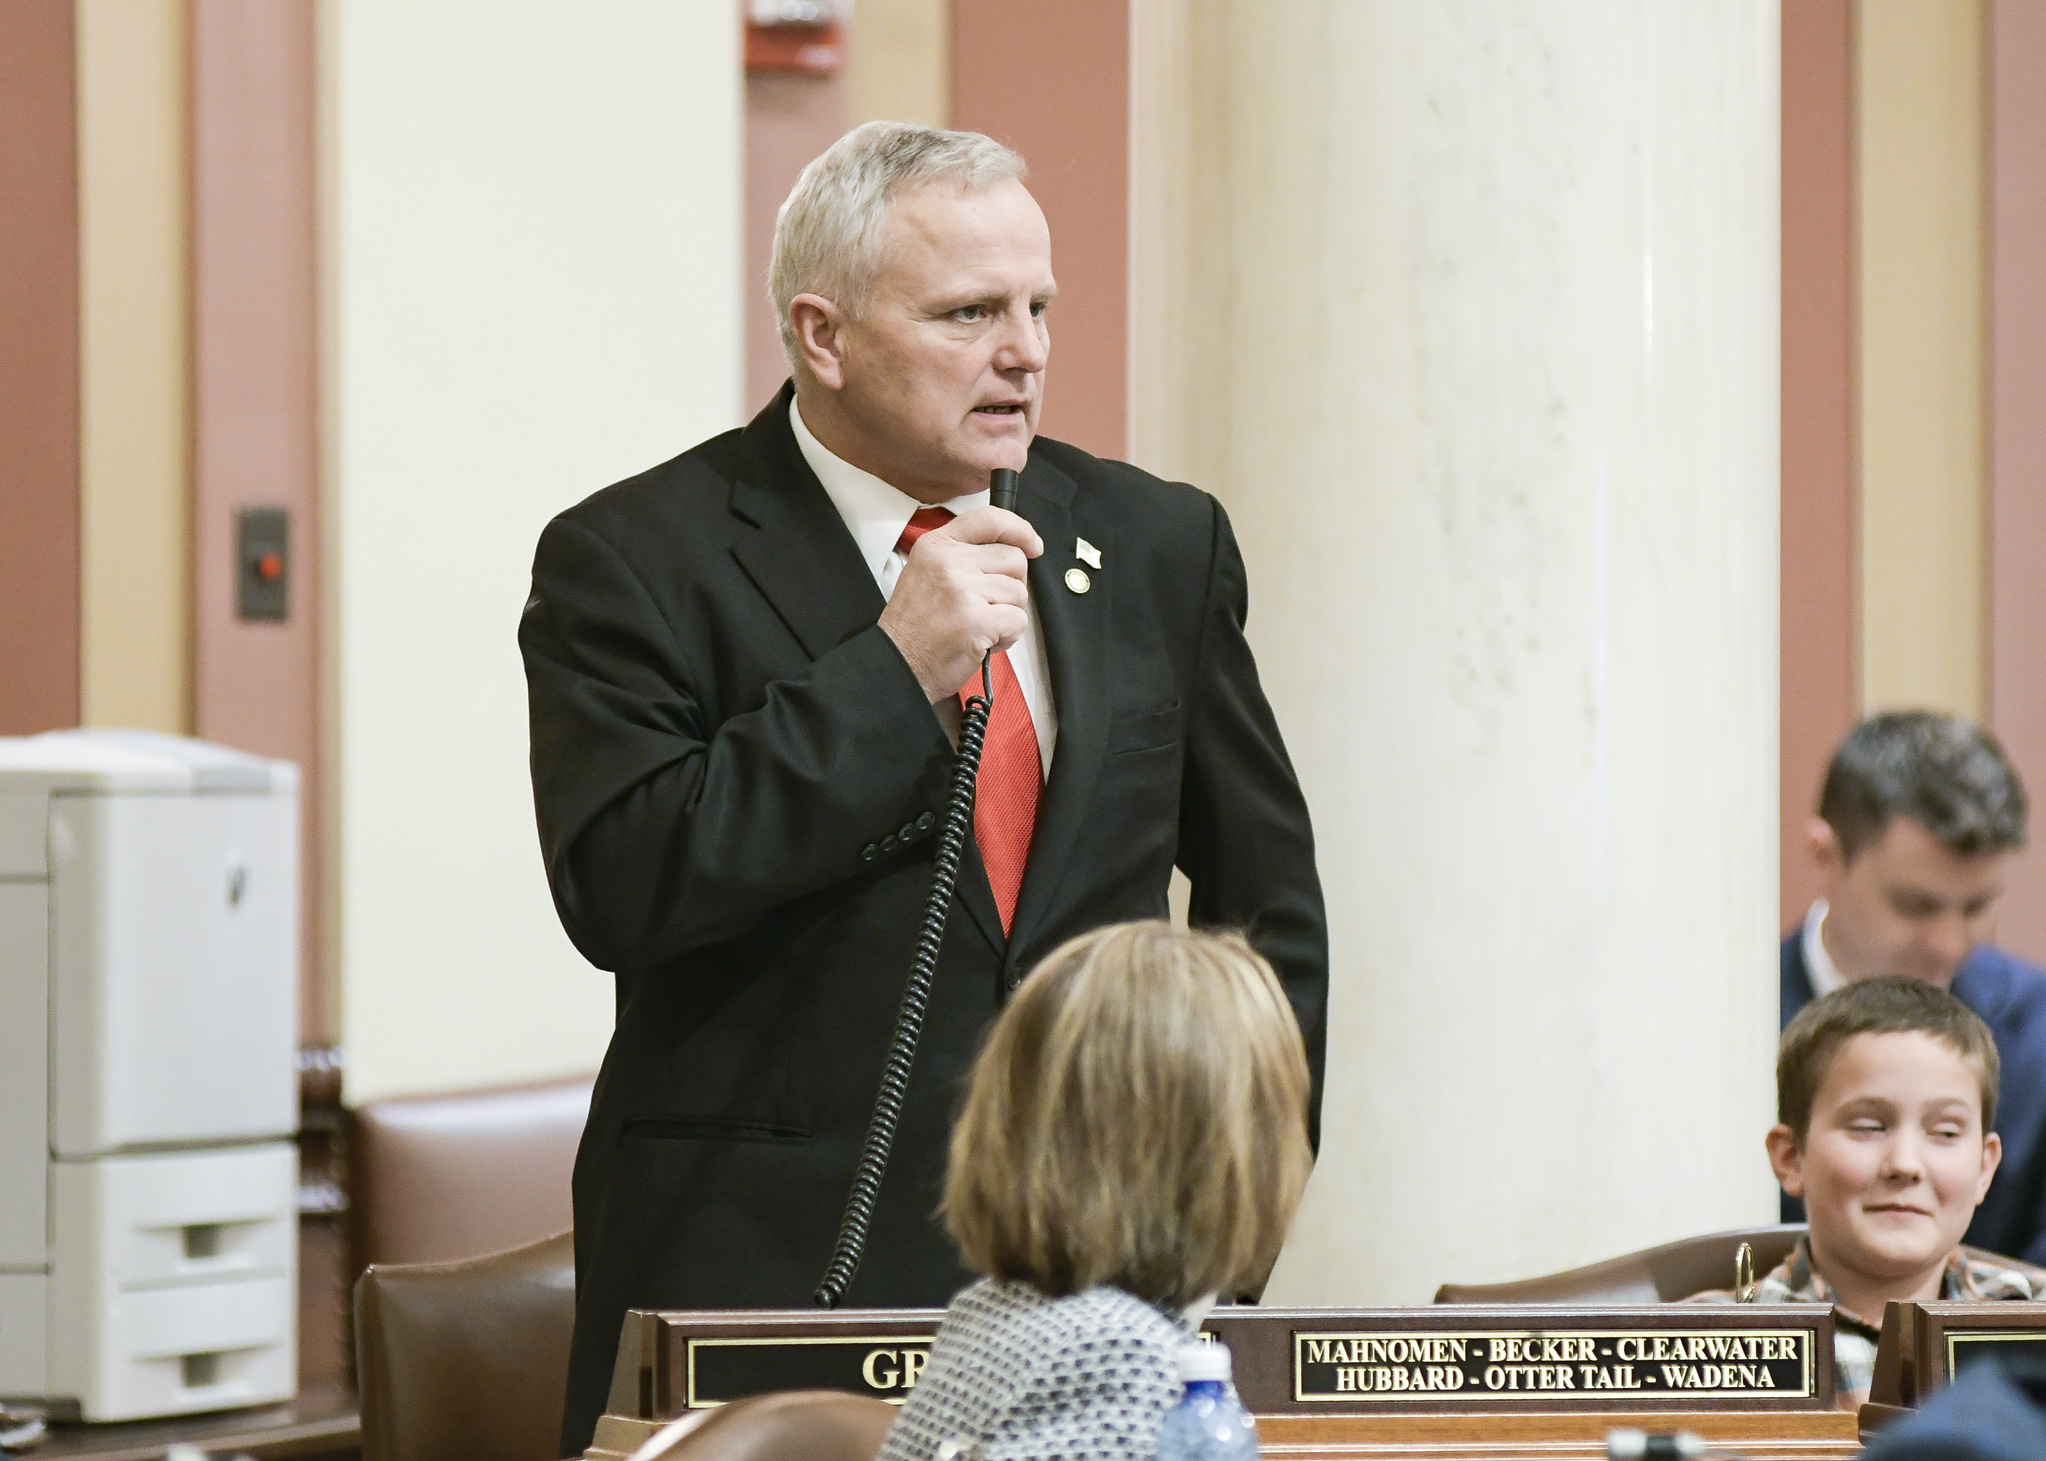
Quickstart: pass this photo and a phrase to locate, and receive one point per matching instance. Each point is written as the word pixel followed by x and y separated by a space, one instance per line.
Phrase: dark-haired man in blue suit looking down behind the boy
pixel 1918 817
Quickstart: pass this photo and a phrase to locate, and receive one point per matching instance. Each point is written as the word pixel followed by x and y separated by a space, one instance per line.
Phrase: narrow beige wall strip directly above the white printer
pixel 134 367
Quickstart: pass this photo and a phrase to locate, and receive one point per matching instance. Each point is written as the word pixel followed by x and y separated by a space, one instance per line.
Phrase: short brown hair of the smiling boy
pixel 1889 1006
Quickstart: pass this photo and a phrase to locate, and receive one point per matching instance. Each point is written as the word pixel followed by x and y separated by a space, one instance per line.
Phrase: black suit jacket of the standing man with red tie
pixel 721 744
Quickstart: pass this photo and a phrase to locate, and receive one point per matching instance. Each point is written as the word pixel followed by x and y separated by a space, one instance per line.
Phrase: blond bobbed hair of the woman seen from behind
pixel 1137 1118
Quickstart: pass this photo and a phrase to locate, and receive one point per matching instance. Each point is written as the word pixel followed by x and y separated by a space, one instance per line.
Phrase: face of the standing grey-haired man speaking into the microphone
pixel 944 373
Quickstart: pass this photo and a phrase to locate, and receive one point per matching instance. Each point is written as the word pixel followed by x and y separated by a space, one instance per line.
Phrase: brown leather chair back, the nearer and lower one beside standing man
pixel 468 1362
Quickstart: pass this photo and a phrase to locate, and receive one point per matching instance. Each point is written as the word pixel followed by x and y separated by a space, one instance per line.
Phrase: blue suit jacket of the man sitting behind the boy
pixel 2010 995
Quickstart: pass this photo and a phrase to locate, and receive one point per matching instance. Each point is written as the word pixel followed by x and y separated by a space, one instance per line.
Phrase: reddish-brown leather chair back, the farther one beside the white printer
pixel 461 1176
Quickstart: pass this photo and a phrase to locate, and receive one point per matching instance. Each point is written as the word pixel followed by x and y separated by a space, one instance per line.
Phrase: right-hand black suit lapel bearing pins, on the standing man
pixel 1077 644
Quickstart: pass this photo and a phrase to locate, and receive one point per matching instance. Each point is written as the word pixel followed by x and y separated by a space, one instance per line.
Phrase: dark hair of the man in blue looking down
pixel 1943 772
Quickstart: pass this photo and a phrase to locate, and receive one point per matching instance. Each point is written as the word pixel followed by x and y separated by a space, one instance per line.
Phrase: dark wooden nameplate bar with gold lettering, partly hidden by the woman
pixel 1302 1362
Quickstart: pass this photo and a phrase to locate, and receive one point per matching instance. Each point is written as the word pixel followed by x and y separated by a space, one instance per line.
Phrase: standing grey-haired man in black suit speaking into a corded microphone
pixel 746 674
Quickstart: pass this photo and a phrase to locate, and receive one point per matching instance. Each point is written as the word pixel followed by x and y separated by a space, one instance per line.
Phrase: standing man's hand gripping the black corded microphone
pixel 963 594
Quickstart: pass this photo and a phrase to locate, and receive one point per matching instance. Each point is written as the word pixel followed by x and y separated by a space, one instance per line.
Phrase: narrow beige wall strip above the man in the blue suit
pixel 1920 353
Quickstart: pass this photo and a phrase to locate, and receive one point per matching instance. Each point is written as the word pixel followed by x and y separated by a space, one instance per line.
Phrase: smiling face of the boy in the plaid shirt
pixel 1896 1159
